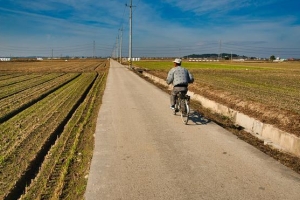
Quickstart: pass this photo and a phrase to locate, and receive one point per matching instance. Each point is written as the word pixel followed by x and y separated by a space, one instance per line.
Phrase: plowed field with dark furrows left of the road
pixel 48 111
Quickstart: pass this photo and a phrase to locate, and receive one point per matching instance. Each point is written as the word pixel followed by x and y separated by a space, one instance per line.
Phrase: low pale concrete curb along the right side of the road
pixel 269 134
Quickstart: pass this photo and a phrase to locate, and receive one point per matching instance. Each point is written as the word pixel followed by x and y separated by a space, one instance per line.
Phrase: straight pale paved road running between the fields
pixel 142 151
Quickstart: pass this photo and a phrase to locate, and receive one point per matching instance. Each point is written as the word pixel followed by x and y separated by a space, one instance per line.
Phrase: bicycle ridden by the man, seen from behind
pixel 183 106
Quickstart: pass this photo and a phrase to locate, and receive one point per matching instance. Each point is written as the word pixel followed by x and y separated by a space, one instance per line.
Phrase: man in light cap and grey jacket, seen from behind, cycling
pixel 180 78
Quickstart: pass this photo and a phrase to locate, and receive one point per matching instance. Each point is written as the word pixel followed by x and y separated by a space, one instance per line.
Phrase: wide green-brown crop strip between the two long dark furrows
pixel 25 135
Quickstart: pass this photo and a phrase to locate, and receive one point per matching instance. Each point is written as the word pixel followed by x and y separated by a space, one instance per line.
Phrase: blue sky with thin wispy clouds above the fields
pixel 171 28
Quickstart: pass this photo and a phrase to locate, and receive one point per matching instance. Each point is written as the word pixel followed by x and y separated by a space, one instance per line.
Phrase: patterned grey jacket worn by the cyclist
pixel 179 76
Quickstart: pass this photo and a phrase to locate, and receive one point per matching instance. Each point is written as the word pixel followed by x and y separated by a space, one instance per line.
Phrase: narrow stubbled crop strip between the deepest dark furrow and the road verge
pixel 50 182
